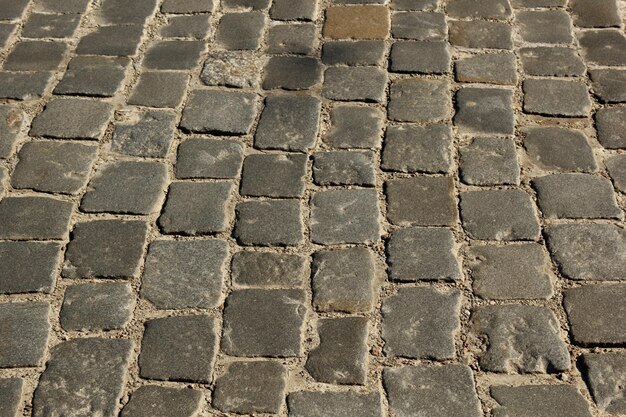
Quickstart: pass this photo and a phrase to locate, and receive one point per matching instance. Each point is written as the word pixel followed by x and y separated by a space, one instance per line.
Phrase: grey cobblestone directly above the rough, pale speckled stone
pixel 240 31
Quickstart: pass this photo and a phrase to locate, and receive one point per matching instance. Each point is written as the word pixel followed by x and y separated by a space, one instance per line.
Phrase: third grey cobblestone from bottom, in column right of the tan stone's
pixel 420 253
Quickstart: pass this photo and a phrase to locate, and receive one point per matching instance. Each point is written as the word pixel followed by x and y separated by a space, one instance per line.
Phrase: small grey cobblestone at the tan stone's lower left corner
pixel 292 39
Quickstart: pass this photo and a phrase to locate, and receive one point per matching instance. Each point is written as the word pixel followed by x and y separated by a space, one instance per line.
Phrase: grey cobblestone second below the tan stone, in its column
pixel 366 84
